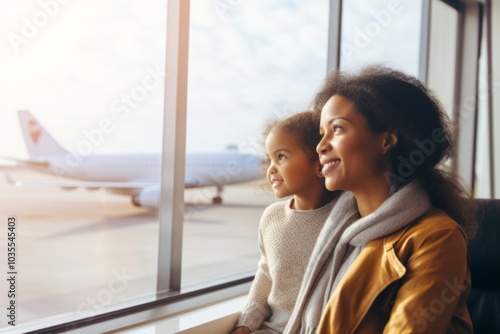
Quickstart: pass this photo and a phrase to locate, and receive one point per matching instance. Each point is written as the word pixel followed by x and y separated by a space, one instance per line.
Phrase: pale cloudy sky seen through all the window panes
pixel 74 63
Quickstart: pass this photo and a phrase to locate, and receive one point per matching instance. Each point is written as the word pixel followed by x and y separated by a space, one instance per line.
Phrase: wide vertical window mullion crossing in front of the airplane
pixel 171 211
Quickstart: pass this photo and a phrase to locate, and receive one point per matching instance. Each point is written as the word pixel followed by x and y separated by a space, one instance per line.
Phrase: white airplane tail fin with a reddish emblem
pixel 38 140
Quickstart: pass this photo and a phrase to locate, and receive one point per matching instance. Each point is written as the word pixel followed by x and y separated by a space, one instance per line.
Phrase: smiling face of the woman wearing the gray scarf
pixel 351 154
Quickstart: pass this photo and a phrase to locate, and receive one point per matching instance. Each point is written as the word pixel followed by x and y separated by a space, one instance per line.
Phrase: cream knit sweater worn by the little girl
pixel 286 241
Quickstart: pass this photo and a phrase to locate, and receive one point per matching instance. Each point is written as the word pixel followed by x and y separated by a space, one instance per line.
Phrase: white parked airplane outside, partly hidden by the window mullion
pixel 136 175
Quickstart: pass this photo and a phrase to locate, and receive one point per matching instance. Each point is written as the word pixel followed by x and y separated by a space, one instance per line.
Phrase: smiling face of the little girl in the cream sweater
pixel 290 171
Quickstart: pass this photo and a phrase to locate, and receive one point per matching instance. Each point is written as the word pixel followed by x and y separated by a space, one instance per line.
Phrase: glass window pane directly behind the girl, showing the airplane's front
pixel 249 61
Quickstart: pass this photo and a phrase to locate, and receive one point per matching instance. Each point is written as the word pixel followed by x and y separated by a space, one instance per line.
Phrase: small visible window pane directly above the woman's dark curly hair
pixel 381 32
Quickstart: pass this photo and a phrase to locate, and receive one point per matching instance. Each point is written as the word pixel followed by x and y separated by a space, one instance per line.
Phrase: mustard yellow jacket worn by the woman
pixel 414 281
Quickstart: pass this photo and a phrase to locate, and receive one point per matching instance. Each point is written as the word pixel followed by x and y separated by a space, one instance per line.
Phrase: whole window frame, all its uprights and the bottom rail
pixel 170 299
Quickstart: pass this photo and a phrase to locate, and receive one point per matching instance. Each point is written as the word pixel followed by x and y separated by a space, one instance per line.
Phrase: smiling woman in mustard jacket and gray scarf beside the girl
pixel 392 257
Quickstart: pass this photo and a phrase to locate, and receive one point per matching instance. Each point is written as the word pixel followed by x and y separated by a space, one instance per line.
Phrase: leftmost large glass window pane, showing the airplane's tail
pixel 90 74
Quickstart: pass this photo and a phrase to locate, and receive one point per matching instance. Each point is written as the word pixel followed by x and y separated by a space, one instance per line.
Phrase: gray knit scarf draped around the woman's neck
pixel 342 238
